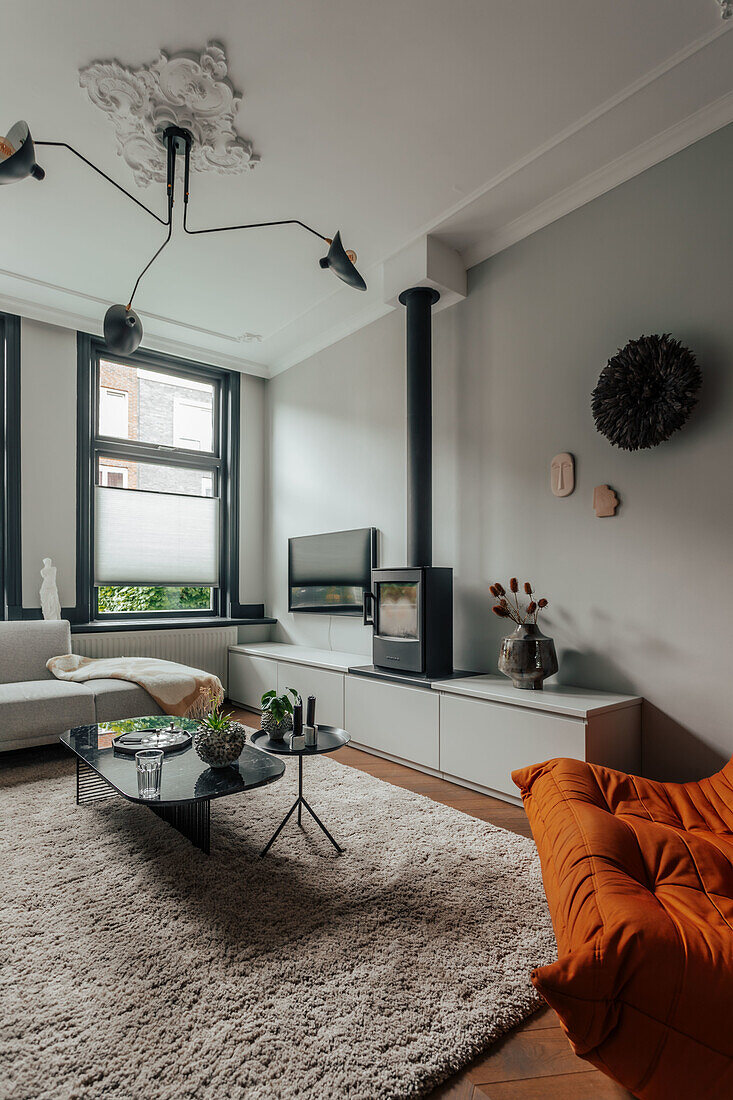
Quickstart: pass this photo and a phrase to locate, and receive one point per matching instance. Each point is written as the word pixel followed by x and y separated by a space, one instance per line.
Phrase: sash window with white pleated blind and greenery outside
pixel 158 515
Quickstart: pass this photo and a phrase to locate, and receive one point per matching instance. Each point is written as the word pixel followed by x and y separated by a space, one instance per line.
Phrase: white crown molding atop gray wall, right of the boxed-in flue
pixel 674 140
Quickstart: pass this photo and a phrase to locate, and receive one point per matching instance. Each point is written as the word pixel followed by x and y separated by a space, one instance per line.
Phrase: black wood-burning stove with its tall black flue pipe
pixel 412 609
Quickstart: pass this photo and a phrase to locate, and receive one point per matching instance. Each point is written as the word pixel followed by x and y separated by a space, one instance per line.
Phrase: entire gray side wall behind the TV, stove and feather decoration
pixel 640 602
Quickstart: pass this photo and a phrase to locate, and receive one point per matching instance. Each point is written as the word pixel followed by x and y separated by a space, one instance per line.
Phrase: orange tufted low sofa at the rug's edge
pixel 639 877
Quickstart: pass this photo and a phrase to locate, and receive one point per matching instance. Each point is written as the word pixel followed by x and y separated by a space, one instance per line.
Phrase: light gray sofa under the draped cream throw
pixel 36 708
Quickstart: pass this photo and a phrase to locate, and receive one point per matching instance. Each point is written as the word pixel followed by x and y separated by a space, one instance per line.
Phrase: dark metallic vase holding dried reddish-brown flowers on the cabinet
pixel 528 656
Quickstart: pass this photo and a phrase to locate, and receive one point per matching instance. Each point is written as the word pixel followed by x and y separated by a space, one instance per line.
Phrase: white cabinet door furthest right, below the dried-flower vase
pixel 485 742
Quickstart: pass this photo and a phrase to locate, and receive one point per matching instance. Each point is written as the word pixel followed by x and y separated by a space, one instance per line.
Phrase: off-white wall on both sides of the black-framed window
pixel 49 466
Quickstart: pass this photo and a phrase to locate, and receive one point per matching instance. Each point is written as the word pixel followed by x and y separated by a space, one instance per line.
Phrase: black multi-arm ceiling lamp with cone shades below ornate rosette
pixel 123 327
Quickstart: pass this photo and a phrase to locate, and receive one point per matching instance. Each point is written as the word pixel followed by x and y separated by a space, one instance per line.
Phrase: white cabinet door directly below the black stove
pixel 391 719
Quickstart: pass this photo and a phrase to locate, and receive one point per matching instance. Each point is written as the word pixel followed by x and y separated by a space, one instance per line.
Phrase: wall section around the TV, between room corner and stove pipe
pixel 337 461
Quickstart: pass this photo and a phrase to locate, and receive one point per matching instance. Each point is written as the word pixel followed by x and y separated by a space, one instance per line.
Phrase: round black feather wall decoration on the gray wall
pixel 647 392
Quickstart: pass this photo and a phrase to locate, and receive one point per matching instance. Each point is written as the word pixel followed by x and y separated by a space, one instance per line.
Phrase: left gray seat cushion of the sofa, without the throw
pixel 37 710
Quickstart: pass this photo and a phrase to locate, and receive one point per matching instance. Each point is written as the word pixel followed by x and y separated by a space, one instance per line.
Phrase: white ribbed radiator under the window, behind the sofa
pixel 206 650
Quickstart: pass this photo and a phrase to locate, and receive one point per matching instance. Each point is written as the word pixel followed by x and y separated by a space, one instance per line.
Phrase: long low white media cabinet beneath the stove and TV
pixel 473 731
